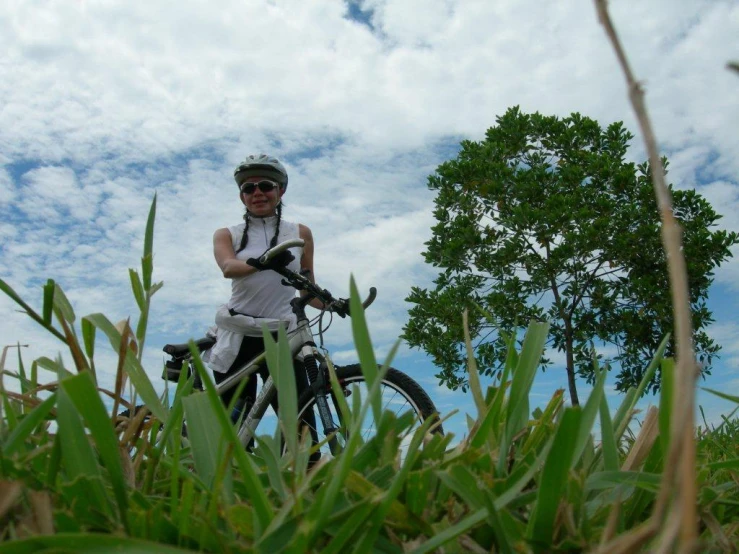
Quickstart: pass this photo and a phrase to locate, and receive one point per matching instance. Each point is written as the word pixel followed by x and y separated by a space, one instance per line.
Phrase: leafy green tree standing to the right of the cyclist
pixel 546 219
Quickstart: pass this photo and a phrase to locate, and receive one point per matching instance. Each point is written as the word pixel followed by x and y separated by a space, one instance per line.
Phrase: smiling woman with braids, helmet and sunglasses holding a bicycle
pixel 257 296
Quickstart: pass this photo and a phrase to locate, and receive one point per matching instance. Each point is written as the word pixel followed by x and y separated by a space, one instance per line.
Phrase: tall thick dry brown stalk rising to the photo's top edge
pixel 679 473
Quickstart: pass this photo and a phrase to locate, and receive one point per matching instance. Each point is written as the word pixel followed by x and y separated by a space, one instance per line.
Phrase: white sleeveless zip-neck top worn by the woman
pixel 262 294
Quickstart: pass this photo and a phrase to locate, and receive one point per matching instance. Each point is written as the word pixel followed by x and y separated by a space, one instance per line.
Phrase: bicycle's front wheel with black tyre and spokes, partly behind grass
pixel 399 394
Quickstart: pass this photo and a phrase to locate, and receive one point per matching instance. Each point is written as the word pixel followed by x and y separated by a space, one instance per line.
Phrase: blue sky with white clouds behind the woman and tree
pixel 105 103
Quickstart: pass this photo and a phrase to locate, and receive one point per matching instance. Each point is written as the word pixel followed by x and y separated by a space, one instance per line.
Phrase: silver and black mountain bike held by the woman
pixel 317 402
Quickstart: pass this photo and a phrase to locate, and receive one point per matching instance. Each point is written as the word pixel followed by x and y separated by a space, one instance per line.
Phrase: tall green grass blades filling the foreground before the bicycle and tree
pixel 78 477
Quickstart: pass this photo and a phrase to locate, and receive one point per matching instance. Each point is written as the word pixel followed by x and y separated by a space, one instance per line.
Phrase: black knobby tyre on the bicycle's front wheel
pixel 408 389
